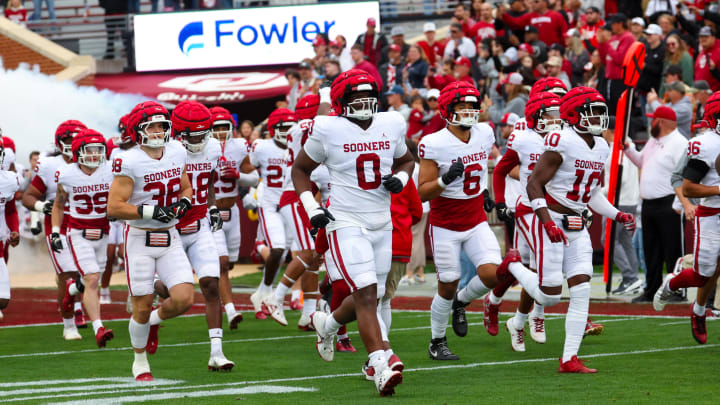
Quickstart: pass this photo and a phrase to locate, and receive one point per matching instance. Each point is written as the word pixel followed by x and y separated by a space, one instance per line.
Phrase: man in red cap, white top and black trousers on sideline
pixel 661 224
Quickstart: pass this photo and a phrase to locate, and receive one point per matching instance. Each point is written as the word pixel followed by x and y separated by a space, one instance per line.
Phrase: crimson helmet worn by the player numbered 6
pixel 459 92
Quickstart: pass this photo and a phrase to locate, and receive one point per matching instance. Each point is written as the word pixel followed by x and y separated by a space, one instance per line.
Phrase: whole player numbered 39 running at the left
pixel 84 186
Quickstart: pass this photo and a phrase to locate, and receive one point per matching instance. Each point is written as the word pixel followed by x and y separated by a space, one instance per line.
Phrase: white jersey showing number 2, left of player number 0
pixel 269 158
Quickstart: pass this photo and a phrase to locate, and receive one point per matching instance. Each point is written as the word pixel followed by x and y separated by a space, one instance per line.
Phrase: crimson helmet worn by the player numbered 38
pixel 144 115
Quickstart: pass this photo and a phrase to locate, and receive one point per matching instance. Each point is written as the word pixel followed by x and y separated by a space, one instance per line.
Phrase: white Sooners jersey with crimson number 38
pixel 156 181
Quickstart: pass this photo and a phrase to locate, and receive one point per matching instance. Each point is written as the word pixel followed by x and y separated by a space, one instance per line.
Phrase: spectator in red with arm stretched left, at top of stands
pixel 550 24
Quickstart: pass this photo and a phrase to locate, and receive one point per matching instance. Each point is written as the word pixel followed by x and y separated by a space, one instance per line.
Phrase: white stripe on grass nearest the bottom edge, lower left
pixel 259 389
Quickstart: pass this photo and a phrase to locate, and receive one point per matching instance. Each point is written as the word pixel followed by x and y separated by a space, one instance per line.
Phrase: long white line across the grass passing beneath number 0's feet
pixel 97 399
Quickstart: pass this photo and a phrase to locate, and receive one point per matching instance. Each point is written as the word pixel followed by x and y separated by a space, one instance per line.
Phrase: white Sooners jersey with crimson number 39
pixel 87 194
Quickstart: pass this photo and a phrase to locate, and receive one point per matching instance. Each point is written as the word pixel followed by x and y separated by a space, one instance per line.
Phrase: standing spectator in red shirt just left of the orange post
pixel 612 51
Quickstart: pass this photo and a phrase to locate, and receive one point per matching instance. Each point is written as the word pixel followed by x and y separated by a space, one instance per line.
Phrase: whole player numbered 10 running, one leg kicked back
pixel 565 181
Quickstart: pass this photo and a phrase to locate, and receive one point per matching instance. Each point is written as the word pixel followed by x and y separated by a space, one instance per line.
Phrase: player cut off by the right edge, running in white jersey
pixel 700 180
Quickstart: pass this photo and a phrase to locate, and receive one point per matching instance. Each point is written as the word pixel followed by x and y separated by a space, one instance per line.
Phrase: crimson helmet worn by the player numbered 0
pixel 345 86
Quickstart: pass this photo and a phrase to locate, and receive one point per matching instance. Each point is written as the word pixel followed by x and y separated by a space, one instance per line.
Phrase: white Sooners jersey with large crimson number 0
pixel 357 160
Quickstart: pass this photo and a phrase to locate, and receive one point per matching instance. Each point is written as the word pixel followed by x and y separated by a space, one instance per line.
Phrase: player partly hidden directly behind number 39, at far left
pixel 39 196
